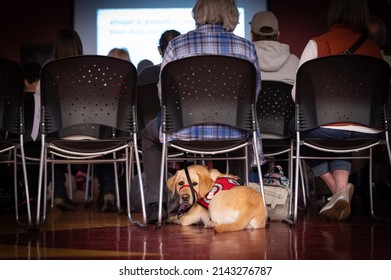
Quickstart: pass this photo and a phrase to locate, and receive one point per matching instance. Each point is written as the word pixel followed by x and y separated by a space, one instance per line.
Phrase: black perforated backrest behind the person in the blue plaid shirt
pixel 209 89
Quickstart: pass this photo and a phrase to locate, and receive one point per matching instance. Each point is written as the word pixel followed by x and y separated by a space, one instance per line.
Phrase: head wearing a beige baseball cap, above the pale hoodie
pixel 264 26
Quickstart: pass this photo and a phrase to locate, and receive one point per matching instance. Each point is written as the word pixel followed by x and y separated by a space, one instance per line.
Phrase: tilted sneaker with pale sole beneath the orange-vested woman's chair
pixel 338 202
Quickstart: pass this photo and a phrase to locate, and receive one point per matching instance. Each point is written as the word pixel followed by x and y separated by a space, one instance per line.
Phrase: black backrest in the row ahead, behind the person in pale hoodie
pixel 275 108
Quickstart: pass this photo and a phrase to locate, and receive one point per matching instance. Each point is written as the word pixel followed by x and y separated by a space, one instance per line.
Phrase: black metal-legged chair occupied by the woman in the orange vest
pixel 341 89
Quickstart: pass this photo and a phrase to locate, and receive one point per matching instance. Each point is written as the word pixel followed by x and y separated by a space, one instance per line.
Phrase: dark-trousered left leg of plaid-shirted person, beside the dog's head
pixel 151 157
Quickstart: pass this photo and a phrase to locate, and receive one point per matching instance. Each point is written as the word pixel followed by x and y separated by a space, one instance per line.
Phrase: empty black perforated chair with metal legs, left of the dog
pixel 89 115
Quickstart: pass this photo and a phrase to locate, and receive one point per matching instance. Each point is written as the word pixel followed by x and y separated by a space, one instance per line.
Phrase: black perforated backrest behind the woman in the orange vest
pixel 342 88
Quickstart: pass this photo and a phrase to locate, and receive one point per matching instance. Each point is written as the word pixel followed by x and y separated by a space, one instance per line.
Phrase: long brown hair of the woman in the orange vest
pixel 354 13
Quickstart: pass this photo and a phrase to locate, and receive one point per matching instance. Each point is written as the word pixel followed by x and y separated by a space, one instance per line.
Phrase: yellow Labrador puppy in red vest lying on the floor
pixel 231 207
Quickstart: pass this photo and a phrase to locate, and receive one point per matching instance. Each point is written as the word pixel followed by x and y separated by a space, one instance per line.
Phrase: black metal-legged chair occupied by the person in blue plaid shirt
pixel 209 89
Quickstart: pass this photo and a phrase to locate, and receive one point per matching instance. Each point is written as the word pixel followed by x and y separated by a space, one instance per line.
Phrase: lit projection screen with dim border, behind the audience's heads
pixel 138 24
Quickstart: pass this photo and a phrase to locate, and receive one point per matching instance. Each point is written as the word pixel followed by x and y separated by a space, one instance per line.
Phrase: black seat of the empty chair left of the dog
pixel 88 146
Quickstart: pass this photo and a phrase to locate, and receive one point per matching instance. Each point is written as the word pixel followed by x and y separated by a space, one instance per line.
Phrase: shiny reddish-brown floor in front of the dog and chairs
pixel 93 235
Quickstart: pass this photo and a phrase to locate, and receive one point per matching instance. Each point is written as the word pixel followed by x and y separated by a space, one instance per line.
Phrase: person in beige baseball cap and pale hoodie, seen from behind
pixel 275 59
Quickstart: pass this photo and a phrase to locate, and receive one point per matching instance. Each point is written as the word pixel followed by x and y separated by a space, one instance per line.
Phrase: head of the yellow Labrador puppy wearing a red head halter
pixel 201 180
